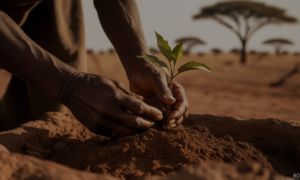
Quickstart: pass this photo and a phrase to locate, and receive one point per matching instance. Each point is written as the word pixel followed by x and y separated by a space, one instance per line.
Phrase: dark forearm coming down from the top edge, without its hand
pixel 121 22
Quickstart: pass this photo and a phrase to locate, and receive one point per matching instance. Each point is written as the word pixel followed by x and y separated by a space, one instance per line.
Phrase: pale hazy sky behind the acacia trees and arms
pixel 173 19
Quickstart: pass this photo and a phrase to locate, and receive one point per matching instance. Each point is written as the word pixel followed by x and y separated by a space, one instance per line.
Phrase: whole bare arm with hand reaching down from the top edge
pixel 121 22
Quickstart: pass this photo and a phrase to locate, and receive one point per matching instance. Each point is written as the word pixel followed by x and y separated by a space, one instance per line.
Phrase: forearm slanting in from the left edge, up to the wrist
pixel 28 61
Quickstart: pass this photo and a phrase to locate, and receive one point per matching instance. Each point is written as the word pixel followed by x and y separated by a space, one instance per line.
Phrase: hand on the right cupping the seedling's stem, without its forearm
pixel 148 81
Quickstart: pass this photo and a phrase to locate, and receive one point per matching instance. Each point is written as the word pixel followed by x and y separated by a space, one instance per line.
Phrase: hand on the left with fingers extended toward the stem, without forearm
pixel 107 108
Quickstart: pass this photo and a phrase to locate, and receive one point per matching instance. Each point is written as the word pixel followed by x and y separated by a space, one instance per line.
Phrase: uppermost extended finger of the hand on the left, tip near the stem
pixel 140 108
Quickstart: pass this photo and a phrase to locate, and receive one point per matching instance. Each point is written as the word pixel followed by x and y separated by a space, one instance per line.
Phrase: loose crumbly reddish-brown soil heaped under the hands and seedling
pixel 154 152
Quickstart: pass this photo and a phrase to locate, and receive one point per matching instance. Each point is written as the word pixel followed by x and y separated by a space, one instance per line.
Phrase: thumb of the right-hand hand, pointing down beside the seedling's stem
pixel 162 91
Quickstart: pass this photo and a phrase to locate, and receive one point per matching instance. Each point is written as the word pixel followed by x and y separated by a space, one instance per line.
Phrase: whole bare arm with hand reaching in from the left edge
pixel 100 103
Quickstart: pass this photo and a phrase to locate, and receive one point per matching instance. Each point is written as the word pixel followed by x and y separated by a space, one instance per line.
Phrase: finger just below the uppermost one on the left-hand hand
pixel 131 121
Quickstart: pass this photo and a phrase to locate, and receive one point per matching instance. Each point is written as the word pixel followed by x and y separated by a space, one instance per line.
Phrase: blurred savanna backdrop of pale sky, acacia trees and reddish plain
pixel 252 48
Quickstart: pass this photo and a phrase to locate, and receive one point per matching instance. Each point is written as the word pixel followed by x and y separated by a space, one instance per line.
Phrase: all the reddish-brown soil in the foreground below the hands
pixel 63 139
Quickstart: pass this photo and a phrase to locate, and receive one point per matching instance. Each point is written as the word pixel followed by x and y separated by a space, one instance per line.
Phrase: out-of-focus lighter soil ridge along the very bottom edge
pixel 15 166
